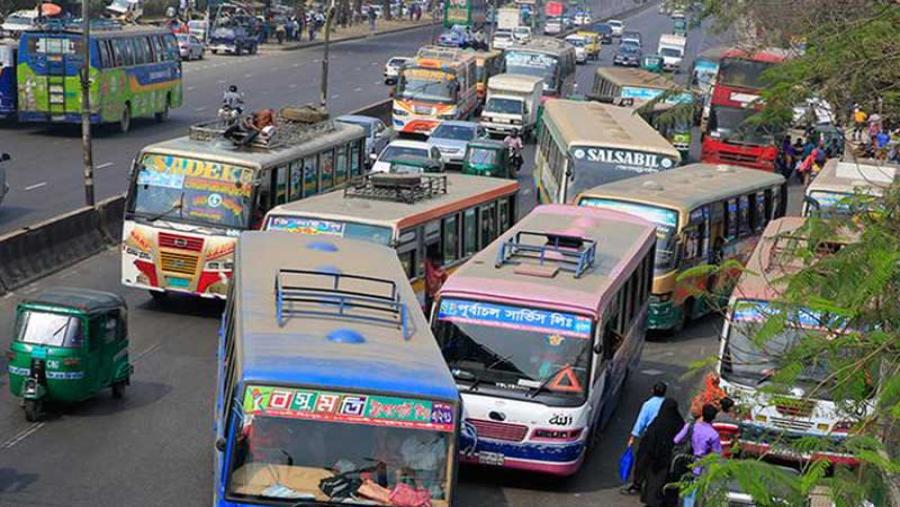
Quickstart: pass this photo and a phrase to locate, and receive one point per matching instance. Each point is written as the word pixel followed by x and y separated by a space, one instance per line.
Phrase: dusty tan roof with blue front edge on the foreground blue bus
pixel 299 352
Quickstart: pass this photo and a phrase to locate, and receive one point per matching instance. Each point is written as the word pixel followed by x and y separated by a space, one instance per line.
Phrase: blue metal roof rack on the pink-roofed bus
pixel 559 252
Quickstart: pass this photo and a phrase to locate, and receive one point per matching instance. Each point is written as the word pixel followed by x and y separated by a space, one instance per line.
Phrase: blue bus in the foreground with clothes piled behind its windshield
pixel 331 388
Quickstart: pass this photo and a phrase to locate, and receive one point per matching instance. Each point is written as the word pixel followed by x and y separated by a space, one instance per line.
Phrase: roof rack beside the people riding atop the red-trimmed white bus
pixel 287 132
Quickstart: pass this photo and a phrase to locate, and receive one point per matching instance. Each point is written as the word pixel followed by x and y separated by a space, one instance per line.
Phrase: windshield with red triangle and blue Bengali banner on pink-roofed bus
pixel 526 352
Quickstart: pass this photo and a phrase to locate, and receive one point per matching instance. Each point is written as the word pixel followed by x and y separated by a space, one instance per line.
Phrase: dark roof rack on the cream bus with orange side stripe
pixel 408 188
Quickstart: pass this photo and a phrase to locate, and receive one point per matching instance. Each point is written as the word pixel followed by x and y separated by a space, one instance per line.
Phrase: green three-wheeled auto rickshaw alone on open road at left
pixel 69 344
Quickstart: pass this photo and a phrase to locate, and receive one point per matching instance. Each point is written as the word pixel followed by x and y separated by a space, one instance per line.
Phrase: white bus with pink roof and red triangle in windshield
pixel 540 330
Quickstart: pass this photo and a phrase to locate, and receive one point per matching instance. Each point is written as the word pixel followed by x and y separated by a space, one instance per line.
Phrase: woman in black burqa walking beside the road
pixel 655 454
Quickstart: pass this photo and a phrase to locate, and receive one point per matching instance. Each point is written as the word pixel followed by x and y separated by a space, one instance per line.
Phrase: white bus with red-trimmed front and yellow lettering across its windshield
pixel 190 197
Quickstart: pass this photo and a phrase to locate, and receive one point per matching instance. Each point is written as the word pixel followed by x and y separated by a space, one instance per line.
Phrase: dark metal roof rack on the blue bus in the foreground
pixel 300 292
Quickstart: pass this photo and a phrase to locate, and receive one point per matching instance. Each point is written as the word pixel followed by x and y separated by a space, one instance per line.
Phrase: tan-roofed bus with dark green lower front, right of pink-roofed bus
pixel 703 214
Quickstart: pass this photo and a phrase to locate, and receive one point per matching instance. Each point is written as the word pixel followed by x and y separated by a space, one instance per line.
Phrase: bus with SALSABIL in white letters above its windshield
pixel 585 144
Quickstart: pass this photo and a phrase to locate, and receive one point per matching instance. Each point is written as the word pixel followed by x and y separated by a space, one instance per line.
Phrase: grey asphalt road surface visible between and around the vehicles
pixel 155 446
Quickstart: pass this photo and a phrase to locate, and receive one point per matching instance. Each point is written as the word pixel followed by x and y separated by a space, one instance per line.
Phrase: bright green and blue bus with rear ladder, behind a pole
pixel 135 73
